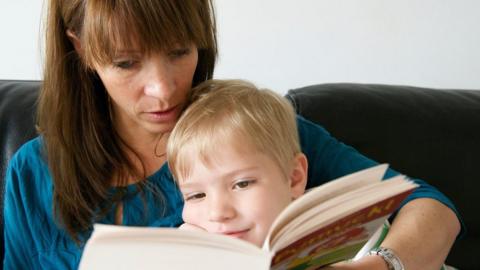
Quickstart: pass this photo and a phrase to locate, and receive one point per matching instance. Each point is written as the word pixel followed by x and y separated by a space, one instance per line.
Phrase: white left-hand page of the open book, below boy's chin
pixel 122 247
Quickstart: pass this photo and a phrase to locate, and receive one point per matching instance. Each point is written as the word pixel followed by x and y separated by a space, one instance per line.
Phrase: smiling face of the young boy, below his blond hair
pixel 238 194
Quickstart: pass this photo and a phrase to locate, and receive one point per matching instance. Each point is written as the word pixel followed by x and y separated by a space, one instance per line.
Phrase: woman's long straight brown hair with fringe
pixel 81 146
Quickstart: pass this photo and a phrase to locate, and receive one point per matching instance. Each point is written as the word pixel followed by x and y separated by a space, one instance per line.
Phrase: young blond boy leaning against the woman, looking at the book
pixel 236 157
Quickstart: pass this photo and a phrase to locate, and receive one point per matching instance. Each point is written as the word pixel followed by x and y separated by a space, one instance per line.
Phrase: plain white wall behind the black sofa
pixel 283 44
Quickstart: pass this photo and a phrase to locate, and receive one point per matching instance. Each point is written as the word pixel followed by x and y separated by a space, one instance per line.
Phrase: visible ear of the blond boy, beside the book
pixel 298 176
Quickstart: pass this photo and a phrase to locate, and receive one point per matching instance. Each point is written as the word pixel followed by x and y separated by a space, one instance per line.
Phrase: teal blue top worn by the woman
pixel 34 241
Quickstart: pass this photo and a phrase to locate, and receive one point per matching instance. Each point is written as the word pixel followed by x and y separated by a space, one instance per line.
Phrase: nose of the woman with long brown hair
pixel 160 79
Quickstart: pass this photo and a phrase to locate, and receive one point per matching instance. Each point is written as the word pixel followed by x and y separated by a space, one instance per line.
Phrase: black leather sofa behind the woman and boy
pixel 426 133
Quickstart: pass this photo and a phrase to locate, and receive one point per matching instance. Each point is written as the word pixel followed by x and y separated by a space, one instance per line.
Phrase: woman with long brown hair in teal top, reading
pixel 116 78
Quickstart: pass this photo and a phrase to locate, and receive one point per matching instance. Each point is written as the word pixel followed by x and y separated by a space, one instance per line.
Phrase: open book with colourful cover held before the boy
pixel 330 223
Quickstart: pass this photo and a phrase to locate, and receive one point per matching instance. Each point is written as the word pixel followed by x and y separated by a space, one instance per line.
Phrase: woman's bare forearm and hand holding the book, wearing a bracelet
pixel 416 236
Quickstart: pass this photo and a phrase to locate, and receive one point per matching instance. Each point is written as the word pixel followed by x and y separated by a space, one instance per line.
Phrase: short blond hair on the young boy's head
pixel 239 114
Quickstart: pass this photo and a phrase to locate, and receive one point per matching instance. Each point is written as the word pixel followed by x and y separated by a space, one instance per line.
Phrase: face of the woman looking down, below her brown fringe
pixel 148 92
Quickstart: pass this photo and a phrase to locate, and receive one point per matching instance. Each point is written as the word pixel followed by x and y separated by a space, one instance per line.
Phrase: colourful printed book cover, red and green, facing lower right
pixel 339 240
